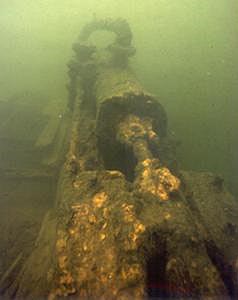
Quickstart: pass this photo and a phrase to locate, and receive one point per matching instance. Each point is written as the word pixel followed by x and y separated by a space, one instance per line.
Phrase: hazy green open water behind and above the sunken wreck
pixel 186 55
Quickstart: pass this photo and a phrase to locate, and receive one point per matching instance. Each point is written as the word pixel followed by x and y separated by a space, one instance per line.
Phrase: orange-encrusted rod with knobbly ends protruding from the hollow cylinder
pixel 151 176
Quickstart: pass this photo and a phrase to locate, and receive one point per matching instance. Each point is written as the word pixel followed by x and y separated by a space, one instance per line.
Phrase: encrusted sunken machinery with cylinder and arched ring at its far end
pixel 126 222
